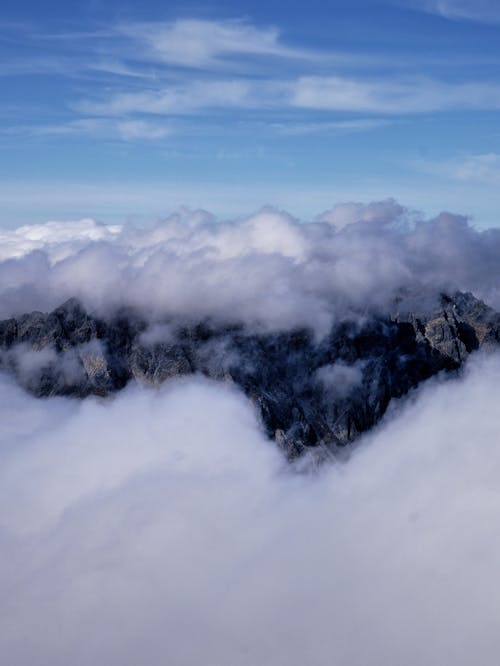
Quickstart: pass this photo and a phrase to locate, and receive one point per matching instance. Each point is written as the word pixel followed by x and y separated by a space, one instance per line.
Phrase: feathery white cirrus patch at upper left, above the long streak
pixel 187 43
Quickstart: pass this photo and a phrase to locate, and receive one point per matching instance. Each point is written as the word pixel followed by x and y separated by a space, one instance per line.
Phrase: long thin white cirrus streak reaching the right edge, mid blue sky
pixel 389 95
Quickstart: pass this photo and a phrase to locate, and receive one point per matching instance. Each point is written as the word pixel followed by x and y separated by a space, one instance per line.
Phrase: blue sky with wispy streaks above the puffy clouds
pixel 127 110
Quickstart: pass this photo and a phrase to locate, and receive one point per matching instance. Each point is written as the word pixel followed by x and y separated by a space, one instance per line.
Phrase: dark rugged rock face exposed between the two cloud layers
pixel 309 393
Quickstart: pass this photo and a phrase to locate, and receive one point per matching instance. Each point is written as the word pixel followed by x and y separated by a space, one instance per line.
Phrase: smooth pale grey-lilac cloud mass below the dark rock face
pixel 163 528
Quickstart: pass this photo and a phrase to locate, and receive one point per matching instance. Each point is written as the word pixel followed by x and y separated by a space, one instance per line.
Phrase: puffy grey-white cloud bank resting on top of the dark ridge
pixel 268 270
